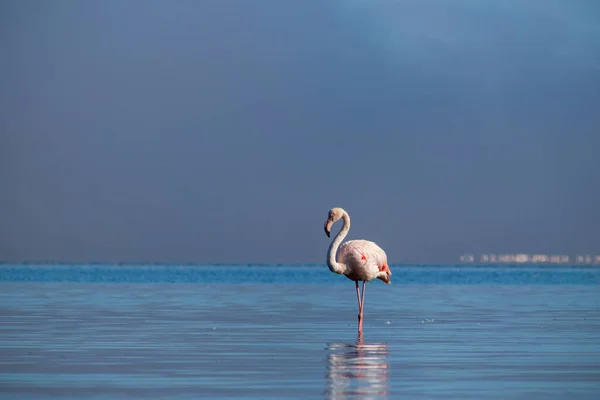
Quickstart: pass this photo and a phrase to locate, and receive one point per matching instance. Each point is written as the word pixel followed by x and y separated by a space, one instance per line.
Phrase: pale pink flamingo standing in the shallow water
pixel 358 260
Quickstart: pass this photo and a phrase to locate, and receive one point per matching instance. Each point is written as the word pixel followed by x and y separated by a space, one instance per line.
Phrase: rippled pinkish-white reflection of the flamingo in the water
pixel 357 370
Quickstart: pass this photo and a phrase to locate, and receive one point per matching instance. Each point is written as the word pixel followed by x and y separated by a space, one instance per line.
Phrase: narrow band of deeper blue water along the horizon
pixel 296 274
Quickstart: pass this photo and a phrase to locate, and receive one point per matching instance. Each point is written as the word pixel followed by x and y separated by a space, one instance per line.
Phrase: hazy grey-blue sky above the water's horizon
pixel 223 131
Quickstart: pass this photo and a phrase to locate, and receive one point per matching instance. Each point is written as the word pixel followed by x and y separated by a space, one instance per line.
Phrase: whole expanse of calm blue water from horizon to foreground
pixel 277 331
